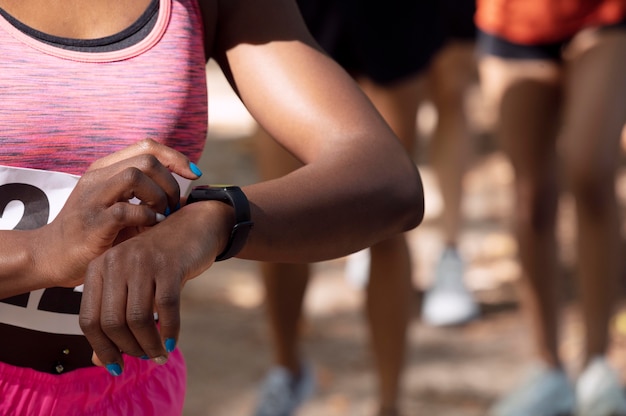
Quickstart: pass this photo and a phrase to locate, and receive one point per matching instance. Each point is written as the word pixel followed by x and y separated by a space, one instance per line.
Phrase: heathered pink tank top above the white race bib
pixel 61 110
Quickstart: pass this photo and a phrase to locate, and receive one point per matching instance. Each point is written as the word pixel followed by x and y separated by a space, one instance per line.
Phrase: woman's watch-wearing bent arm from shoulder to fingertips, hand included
pixel 357 186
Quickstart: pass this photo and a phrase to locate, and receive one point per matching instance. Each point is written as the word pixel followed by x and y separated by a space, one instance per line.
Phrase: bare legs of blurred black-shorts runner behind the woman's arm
pixel 389 289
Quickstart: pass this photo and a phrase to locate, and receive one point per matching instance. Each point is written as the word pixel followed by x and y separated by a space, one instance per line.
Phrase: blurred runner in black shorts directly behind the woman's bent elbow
pixel 387 50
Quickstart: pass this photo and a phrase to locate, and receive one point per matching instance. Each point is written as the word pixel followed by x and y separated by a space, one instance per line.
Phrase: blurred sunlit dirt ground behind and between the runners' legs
pixel 450 371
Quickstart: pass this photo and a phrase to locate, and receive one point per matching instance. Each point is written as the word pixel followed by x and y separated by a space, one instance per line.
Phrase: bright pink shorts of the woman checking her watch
pixel 144 388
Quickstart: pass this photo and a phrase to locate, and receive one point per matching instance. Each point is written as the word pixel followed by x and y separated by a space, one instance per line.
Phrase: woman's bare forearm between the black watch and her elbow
pixel 310 216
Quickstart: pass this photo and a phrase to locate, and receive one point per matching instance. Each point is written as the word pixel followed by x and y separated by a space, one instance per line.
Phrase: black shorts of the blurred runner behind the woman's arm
pixel 384 41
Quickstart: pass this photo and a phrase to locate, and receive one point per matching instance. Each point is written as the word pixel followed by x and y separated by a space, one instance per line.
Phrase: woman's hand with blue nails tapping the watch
pixel 98 211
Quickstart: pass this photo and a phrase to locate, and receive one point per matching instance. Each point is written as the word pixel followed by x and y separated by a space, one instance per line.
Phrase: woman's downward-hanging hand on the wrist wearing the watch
pixel 144 274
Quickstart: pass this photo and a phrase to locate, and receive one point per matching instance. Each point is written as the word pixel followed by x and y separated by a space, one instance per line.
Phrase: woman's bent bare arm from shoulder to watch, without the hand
pixel 358 185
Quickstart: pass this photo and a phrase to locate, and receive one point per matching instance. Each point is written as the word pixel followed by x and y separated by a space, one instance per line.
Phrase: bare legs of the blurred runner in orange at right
pixel 560 125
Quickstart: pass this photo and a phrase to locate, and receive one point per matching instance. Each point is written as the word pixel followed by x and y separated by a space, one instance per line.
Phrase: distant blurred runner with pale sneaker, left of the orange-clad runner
pixel 447 301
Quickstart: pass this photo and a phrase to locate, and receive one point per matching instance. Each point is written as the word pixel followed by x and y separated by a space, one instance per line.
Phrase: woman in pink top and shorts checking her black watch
pixel 83 267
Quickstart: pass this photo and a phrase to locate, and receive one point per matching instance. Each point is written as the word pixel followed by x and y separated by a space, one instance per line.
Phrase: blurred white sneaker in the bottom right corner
pixel 599 391
